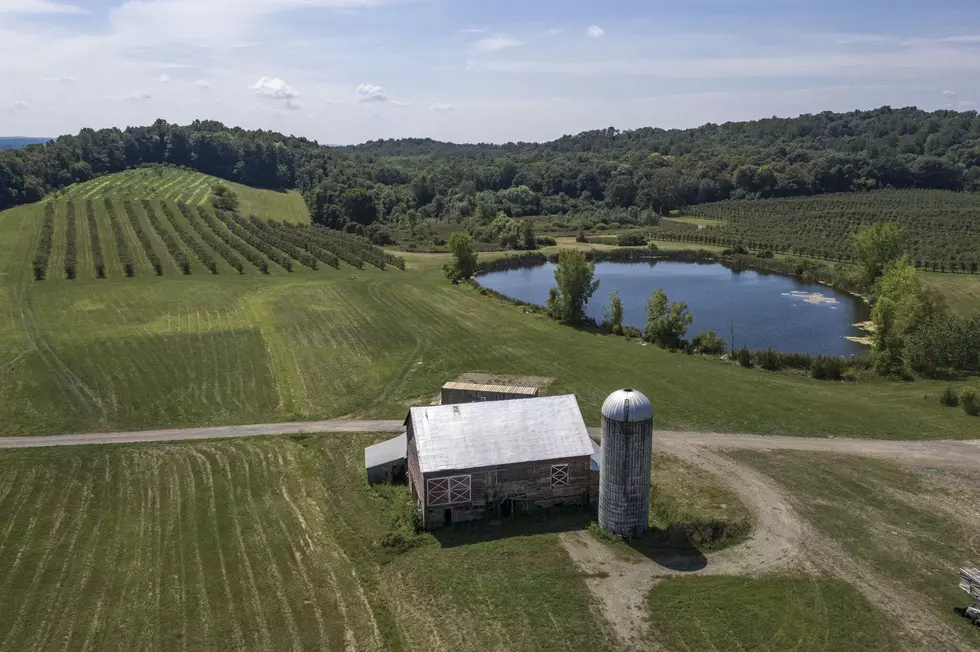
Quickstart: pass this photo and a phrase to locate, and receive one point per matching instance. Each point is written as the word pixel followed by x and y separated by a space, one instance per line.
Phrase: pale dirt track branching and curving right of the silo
pixel 781 539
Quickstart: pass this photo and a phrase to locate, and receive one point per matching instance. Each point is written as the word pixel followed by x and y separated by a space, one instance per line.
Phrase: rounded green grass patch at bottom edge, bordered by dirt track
pixel 769 614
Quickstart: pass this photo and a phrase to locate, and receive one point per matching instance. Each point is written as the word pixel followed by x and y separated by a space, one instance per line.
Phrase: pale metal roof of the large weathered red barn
pixel 492 433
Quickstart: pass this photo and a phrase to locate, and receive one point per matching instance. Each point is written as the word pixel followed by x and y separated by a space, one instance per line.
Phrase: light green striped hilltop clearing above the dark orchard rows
pixel 166 184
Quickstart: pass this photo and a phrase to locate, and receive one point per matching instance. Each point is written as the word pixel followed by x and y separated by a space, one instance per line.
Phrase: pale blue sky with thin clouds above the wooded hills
pixel 347 71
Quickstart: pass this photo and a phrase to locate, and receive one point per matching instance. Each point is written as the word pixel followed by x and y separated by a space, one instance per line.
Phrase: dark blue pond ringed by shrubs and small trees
pixel 783 313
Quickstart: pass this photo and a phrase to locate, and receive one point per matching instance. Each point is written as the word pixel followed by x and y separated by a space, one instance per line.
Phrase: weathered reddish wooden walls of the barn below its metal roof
pixel 530 481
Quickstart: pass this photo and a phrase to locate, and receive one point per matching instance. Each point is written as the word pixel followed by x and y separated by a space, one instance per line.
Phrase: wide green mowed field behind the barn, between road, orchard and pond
pixel 152 352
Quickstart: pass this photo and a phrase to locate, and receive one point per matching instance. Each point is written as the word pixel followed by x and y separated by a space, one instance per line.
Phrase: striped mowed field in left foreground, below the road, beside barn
pixel 258 545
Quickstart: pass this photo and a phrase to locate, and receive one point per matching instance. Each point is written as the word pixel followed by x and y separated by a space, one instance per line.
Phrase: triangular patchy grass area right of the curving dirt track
pixel 912 526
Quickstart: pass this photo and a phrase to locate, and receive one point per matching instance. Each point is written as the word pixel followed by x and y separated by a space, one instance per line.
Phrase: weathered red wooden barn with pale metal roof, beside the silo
pixel 473 460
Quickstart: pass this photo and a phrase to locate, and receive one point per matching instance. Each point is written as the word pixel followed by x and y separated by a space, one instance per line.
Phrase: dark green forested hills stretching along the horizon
pixel 645 170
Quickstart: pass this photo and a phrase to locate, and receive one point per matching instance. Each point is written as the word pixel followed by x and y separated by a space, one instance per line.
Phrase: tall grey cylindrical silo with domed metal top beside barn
pixel 624 476
